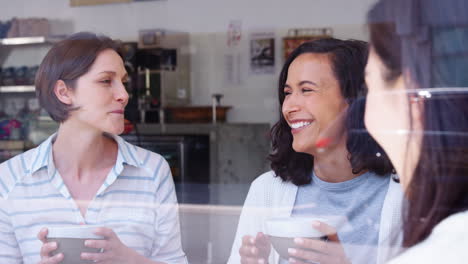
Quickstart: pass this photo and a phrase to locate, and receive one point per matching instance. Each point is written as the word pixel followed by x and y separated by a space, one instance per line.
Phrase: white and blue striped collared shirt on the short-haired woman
pixel 137 200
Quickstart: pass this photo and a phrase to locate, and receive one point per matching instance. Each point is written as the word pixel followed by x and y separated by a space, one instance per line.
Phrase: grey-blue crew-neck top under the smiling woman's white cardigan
pixel 353 207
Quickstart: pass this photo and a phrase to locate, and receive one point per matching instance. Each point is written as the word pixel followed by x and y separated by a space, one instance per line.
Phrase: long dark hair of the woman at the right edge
pixel 428 39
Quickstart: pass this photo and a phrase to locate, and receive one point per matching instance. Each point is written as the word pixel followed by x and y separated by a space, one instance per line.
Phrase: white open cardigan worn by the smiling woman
pixel 269 197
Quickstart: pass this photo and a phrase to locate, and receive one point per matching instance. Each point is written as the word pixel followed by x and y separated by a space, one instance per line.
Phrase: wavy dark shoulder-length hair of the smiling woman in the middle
pixel 348 59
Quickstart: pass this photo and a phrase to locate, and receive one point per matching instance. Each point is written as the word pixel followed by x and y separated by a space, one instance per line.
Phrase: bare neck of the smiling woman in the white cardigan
pixel 333 165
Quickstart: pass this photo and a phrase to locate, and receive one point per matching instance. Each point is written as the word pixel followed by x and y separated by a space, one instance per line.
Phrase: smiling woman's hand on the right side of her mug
pixel 323 252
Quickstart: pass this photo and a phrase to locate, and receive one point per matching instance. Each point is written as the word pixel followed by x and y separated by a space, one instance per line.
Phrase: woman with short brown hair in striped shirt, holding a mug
pixel 85 174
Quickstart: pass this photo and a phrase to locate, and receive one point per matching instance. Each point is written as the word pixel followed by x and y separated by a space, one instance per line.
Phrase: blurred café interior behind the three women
pixel 203 87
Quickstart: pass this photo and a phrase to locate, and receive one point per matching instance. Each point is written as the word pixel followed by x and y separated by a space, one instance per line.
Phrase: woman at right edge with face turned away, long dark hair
pixel 417 109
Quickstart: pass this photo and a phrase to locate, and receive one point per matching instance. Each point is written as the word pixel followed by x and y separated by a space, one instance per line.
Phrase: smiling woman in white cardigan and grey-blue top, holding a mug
pixel 324 163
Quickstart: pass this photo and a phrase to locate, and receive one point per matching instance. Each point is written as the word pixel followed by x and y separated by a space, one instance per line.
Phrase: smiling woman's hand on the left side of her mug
pixel 255 250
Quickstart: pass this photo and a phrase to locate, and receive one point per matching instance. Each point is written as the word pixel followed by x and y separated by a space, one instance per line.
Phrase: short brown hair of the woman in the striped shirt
pixel 68 60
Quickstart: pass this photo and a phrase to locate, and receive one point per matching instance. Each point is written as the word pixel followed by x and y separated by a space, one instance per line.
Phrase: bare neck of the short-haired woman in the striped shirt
pixel 78 151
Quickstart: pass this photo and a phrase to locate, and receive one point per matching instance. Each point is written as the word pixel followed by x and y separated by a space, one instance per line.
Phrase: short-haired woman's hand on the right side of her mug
pixel 114 251
